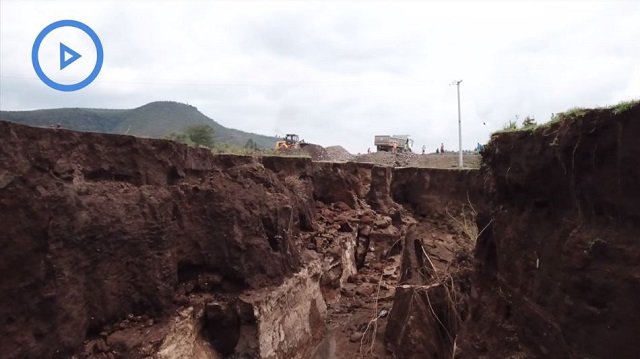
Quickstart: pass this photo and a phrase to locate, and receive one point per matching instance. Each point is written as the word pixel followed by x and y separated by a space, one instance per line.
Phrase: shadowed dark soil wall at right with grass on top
pixel 558 272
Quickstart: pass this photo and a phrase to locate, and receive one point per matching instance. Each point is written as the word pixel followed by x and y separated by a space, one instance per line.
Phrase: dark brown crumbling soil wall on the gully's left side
pixel 101 228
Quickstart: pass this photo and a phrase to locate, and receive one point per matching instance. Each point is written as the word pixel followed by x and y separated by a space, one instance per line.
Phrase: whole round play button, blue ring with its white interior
pixel 59 45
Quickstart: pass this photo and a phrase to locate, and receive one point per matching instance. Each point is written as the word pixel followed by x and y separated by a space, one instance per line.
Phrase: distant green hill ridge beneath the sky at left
pixel 155 120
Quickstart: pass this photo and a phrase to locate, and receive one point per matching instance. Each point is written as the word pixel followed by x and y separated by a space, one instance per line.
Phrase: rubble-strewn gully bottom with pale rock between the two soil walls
pixel 356 262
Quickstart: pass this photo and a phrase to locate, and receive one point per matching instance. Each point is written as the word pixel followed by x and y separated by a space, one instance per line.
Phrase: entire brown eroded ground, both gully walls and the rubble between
pixel 120 247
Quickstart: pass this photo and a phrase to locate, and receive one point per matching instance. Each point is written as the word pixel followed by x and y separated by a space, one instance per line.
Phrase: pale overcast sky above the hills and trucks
pixel 341 72
